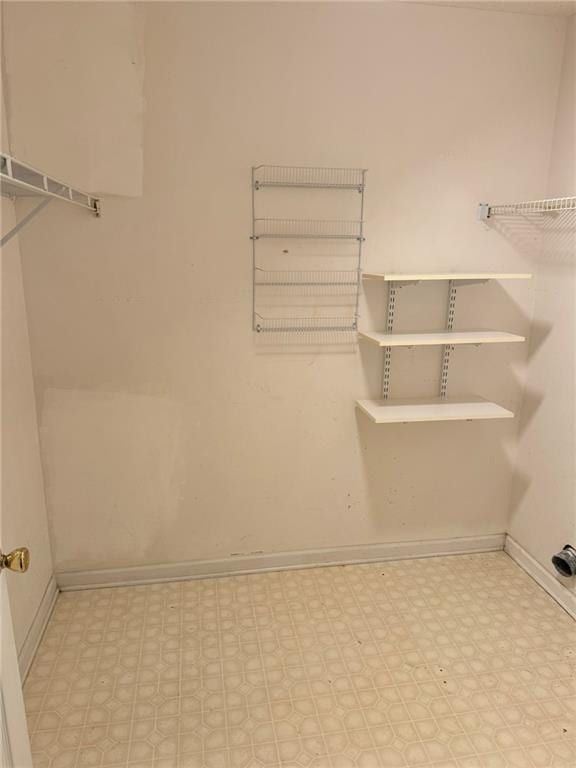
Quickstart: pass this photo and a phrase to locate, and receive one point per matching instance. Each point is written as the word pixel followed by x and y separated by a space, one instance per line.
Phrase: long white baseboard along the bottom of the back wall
pixel 243 564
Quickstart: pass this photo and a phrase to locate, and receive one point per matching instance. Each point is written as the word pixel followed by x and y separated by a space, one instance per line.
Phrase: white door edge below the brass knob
pixel 15 746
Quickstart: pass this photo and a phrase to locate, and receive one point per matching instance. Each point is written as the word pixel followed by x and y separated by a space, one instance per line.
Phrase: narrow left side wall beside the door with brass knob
pixel 23 520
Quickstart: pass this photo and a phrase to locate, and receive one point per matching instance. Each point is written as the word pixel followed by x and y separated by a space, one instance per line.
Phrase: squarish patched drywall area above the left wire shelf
pixel 76 105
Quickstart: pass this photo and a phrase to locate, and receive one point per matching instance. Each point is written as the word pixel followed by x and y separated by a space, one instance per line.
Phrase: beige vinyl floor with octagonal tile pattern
pixel 450 662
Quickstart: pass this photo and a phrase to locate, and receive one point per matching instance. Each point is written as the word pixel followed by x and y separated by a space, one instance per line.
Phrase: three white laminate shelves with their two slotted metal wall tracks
pixel 442 408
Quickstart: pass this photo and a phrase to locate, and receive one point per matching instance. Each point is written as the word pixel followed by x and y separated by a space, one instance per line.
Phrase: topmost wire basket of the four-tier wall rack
pixel 320 178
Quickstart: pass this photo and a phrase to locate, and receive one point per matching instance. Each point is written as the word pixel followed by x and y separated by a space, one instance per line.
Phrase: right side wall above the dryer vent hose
pixel 544 502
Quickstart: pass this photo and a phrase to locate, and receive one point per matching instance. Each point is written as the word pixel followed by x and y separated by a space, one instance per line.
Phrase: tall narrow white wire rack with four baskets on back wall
pixel 321 280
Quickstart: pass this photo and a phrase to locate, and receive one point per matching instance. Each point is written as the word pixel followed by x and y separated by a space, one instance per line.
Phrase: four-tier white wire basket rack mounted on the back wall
pixel 338 241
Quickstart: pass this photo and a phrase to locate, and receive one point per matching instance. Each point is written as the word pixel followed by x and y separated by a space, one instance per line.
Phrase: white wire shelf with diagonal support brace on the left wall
pixel 18 179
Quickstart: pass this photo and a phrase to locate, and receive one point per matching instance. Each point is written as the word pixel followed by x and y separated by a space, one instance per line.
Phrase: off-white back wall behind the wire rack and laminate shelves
pixel 169 432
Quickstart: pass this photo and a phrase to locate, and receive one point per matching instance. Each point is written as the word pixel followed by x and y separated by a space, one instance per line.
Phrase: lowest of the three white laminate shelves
pixel 435 409
